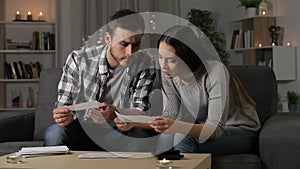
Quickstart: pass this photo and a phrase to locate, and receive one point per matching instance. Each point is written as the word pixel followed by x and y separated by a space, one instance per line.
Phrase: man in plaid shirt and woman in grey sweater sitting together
pixel 205 107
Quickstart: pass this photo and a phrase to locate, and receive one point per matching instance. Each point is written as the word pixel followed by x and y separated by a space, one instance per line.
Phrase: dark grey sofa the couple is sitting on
pixel 278 146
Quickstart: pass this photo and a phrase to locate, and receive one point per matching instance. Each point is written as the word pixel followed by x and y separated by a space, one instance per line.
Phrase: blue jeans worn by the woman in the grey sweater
pixel 234 140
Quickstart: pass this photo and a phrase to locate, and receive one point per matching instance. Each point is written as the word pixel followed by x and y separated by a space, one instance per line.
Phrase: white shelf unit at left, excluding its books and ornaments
pixel 22 31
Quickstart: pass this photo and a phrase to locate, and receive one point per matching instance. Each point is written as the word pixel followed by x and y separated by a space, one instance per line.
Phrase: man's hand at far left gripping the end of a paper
pixel 62 116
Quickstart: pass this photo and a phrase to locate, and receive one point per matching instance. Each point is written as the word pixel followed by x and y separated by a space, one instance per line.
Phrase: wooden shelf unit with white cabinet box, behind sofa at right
pixel 281 58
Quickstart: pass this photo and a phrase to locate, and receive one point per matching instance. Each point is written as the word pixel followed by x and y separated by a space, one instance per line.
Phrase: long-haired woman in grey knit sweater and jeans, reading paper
pixel 205 105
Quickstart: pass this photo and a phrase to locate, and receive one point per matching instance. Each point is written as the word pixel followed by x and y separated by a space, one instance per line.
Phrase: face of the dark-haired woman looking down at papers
pixel 171 65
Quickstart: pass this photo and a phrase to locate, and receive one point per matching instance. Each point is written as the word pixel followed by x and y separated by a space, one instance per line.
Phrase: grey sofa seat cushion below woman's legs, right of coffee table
pixel 236 161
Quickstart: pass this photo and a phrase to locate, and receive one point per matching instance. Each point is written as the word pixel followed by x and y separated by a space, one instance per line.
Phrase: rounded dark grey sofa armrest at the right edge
pixel 279 141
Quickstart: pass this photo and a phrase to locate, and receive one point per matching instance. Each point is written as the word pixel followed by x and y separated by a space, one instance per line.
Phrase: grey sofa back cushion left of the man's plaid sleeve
pixel 47 96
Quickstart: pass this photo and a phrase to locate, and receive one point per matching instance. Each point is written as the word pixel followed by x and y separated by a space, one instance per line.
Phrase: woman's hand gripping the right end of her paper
pixel 162 125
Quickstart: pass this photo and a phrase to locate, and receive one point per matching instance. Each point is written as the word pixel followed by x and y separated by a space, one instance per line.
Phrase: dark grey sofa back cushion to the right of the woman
pixel 261 84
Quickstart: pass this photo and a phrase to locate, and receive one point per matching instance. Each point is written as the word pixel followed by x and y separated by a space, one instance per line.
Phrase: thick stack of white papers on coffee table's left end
pixel 39 151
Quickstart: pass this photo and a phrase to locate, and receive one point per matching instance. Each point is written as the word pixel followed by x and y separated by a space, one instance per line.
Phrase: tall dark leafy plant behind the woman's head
pixel 204 21
